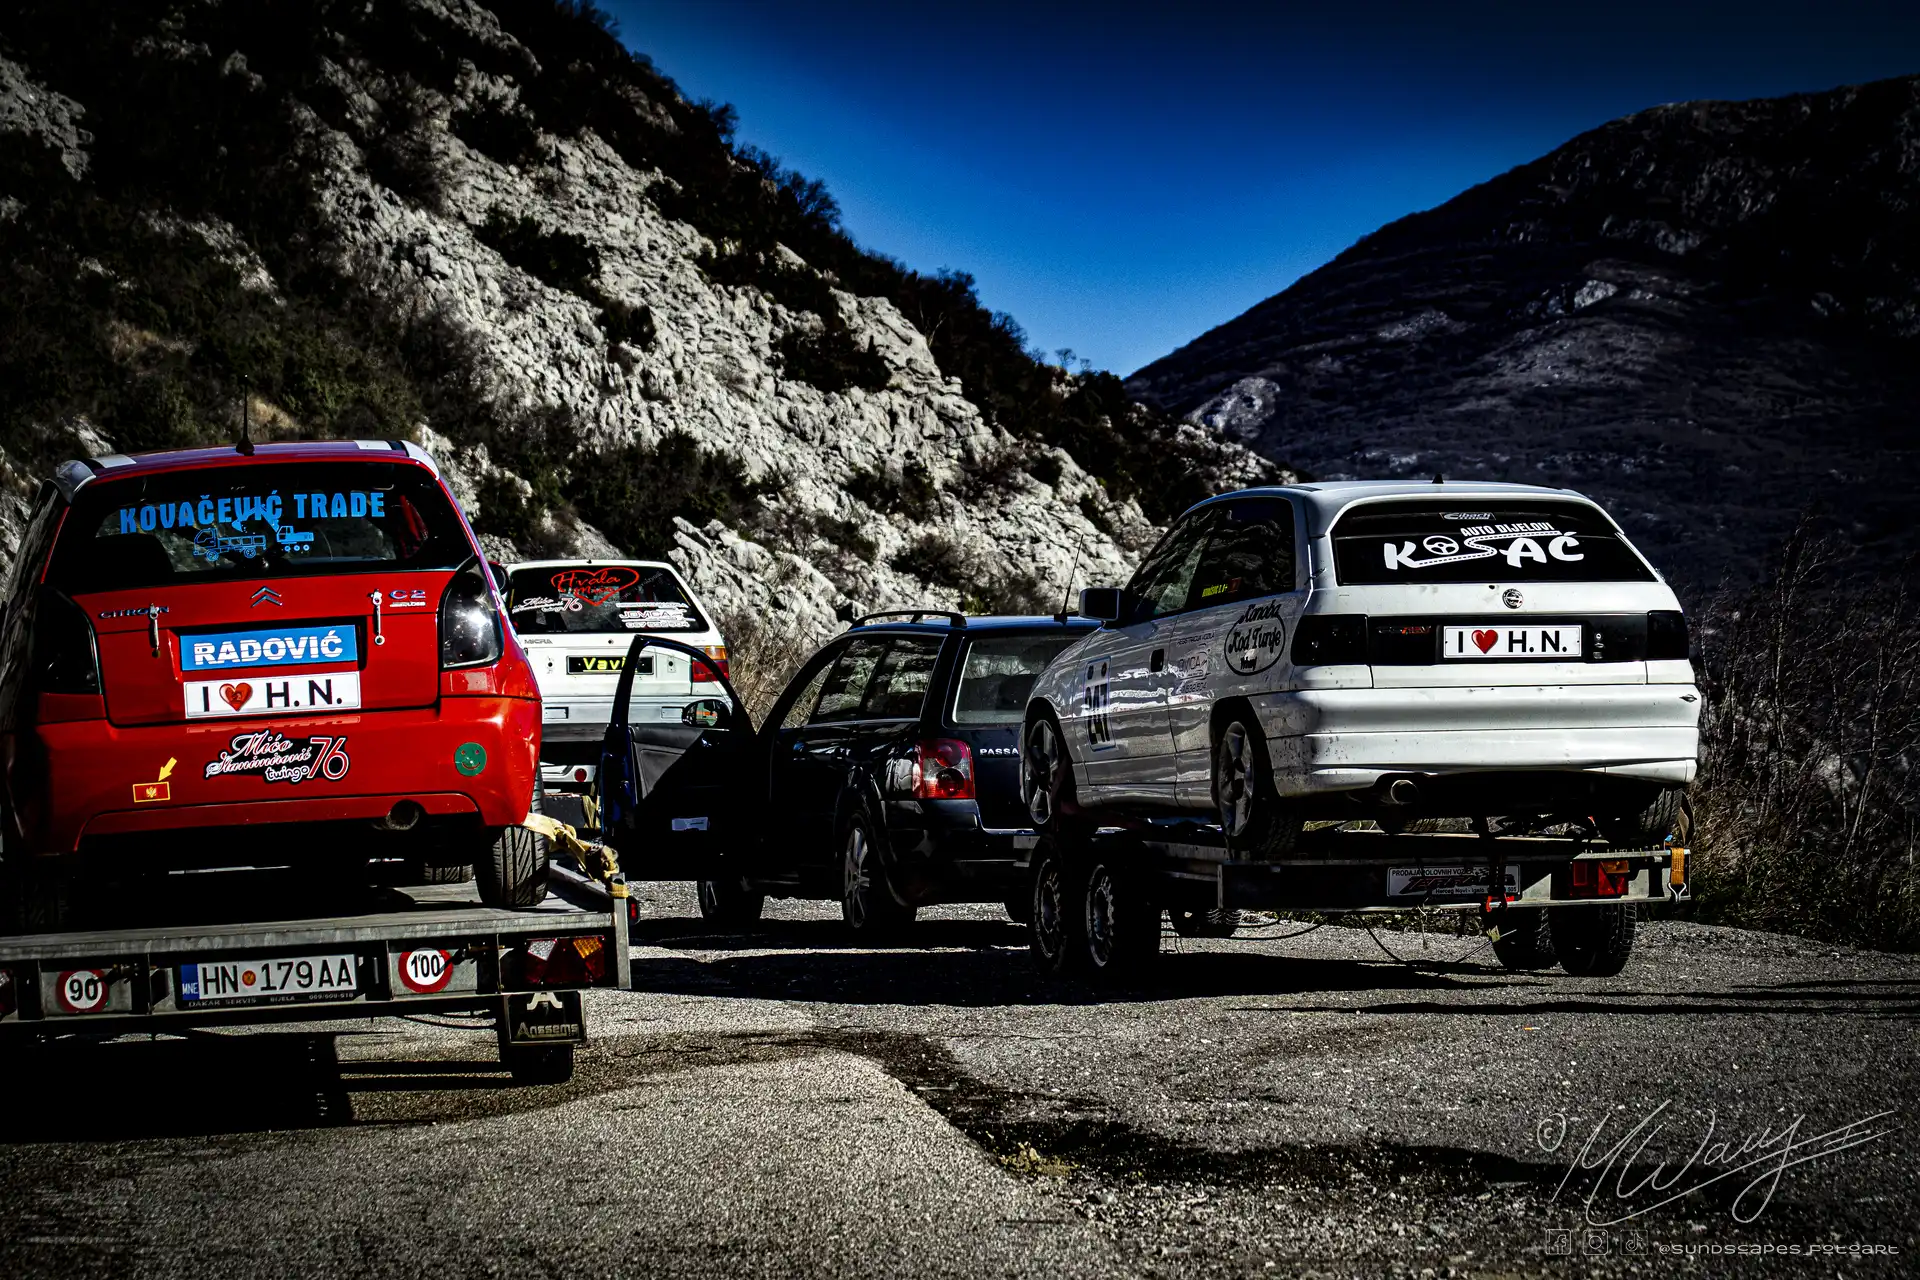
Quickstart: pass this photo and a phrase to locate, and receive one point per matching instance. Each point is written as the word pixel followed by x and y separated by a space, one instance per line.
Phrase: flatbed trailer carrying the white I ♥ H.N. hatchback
pixel 1099 897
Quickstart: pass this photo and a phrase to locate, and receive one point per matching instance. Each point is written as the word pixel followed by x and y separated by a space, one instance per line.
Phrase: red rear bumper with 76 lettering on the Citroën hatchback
pixel 468 755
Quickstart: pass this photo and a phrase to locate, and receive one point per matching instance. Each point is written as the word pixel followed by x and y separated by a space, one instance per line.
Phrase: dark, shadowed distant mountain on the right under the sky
pixel 1708 316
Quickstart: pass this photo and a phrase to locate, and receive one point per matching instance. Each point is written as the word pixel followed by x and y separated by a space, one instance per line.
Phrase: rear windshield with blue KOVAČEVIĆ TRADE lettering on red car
pixel 256 521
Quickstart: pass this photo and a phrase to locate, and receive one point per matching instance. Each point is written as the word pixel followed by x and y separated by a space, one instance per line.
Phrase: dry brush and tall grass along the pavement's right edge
pixel 1808 805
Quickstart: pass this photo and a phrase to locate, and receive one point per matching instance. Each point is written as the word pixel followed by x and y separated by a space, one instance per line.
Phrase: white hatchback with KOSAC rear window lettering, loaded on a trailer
pixel 1376 652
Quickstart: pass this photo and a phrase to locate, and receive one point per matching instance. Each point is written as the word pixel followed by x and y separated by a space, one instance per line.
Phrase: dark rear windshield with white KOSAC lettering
pixel 1481 542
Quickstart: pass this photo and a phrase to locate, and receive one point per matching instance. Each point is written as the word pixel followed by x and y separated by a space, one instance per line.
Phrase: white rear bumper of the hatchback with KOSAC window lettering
pixel 1349 740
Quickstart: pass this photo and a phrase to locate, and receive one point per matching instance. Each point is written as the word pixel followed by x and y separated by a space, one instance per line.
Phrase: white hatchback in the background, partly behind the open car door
pixel 577 621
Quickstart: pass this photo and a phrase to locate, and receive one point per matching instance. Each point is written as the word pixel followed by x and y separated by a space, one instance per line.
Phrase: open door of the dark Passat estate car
pixel 677 801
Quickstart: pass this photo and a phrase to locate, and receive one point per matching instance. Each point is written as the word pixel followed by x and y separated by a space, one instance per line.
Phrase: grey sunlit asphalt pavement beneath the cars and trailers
pixel 786 1104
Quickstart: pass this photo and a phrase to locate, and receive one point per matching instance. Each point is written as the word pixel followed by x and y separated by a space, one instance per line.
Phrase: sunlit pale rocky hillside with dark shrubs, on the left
pixel 496 231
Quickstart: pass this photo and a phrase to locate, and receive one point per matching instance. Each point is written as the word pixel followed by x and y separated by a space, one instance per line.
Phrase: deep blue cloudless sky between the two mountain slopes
pixel 1124 178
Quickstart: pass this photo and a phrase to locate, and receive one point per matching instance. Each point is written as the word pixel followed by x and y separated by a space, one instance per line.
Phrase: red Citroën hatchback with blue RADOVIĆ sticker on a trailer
pixel 285 657
